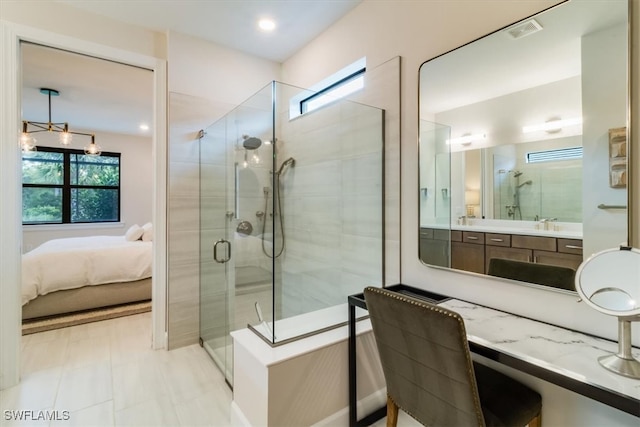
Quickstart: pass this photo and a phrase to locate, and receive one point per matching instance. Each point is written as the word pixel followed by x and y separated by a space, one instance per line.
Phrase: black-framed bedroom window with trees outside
pixel 63 186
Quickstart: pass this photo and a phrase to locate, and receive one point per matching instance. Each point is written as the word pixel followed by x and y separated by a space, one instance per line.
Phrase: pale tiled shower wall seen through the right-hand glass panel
pixel 333 203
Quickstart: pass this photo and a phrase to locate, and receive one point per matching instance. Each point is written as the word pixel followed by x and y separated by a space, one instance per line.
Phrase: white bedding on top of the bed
pixel 83 261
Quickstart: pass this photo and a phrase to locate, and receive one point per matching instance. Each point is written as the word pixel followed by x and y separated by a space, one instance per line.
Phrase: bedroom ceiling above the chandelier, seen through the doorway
pixel 95 95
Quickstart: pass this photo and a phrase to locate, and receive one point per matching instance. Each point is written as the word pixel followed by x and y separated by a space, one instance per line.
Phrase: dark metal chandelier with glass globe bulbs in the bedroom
pixel 28 142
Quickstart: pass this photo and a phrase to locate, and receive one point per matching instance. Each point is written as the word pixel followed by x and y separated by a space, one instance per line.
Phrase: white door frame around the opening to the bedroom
pixel 10 183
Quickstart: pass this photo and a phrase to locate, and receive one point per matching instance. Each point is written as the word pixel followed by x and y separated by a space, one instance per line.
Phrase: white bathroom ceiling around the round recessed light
pixel 231 23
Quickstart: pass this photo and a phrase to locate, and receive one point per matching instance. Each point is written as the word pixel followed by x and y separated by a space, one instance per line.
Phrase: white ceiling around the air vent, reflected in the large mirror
pixel 497 65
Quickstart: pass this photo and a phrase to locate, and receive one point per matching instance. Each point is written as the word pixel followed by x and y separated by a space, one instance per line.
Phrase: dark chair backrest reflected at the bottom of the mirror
pixel 542 274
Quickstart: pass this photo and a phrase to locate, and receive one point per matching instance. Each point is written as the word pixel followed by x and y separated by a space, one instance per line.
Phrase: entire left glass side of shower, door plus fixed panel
pixel 236 160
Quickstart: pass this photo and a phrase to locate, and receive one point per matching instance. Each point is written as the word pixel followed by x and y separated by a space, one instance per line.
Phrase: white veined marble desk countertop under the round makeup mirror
pixel 568 353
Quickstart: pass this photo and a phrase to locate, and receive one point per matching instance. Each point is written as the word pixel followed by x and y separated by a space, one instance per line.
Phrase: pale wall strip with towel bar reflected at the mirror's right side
pixel 603 82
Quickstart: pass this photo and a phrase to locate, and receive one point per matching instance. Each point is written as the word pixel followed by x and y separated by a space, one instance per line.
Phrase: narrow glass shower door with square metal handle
pixel 217 273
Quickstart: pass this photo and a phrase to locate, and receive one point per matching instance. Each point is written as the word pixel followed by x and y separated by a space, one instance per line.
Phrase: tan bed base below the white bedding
pixel 87 298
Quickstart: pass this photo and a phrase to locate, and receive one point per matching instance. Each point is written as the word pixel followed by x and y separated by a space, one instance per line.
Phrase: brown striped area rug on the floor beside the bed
pixel 63 321
